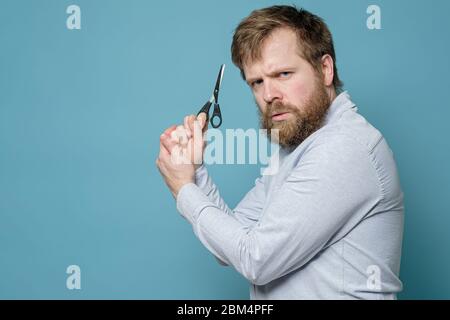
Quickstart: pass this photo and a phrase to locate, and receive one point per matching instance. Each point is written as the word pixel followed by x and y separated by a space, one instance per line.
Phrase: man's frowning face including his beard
pixel 290 94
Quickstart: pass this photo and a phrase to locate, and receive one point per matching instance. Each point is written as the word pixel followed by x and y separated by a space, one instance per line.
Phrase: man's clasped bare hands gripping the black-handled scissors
pixel 181 152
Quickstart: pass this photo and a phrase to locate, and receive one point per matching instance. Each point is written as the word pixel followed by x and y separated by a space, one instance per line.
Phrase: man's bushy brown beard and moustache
pixel 304 120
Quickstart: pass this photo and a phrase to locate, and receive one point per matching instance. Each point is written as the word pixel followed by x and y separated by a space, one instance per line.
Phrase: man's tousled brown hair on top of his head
pixel 311 30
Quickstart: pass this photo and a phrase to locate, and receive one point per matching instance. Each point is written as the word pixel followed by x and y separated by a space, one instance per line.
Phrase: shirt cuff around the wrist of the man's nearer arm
pixel 190 201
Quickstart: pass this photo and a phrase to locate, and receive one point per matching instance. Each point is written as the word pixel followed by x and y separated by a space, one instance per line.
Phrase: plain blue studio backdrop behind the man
pixel 81 112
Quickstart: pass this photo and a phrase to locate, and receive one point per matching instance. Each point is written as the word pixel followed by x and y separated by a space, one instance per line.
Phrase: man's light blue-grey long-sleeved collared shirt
pixel 327 225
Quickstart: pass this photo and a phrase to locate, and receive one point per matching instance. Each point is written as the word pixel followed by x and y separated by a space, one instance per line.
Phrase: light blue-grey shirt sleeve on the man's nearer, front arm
pixel 334 183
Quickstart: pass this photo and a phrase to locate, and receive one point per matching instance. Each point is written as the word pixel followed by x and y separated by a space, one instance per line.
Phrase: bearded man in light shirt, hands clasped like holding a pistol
pixel 329 223
